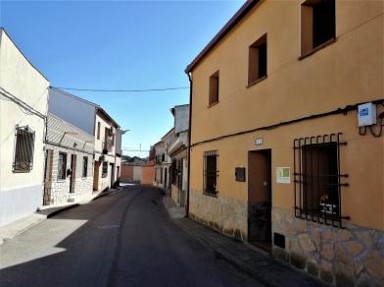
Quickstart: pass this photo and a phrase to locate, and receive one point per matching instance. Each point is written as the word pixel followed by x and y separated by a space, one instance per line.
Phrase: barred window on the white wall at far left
pixel 25 139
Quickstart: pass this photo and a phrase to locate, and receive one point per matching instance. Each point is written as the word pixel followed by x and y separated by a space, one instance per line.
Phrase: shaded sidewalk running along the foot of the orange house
pixel 257 264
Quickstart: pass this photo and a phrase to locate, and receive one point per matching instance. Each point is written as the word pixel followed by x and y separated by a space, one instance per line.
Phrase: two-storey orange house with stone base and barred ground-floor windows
pixel 287 138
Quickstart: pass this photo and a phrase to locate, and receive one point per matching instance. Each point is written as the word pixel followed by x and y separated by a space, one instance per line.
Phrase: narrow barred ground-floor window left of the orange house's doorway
pixel 210 172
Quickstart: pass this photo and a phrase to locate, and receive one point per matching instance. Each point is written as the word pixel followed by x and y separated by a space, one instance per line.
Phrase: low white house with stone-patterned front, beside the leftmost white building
pixel 68 175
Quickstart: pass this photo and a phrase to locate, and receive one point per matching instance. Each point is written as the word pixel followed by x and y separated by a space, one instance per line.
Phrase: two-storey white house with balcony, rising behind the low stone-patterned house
pixel 96 122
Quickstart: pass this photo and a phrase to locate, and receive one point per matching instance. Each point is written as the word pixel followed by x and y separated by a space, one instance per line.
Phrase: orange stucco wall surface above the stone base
pixel 346 72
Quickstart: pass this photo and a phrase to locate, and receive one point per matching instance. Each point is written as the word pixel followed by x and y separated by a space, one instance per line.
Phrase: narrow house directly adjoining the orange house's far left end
pixel 177 150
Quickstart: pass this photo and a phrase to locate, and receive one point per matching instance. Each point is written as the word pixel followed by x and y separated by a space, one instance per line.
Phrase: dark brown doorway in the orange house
pixel 260 199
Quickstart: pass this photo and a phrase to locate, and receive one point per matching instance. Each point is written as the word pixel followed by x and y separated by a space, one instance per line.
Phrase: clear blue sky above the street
pixel 119 45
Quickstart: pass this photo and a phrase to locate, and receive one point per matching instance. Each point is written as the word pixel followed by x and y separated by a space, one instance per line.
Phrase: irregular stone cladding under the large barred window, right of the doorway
pixel 352 256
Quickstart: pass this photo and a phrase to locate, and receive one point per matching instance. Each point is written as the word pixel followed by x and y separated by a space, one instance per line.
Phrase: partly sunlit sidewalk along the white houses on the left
pixel 21 225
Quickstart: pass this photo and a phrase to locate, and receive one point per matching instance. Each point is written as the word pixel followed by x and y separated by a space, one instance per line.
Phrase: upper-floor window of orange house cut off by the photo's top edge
pixel 318 22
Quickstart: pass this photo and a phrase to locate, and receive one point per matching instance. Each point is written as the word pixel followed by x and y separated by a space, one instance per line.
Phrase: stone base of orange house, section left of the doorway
pixel 225 215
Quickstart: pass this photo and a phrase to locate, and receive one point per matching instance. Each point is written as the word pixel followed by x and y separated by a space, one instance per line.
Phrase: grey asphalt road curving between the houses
pixel 123 239
